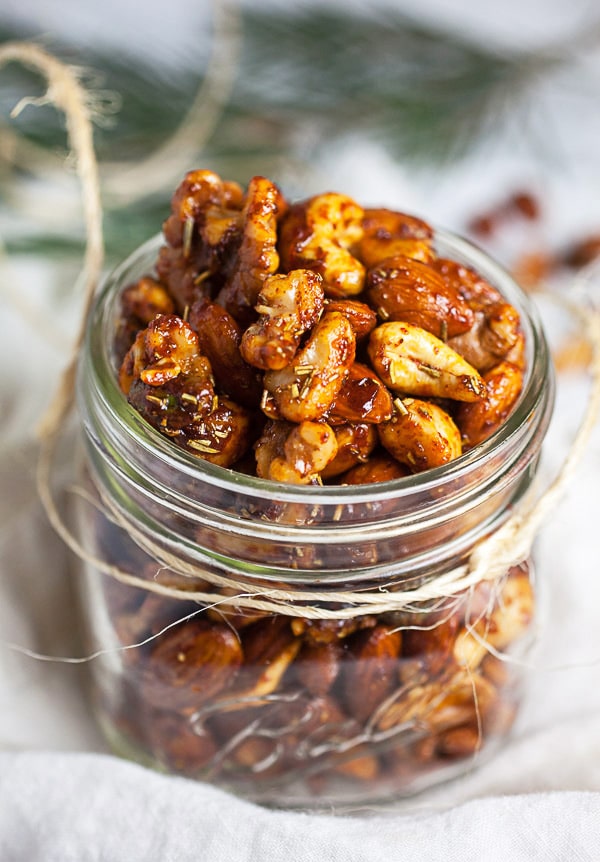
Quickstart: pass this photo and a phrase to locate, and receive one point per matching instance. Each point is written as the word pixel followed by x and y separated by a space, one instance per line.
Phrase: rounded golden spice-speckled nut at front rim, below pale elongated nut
pixel 420 435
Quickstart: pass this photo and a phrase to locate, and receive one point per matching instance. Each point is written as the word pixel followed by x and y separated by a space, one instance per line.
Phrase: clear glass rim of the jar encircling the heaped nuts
pixel 150 440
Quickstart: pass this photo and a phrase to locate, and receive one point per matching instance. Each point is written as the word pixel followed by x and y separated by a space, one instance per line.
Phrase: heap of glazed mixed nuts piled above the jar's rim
pixel 263 316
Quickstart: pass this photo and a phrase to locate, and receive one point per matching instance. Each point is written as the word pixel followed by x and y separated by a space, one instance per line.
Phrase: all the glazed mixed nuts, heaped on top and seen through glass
pixel 314 343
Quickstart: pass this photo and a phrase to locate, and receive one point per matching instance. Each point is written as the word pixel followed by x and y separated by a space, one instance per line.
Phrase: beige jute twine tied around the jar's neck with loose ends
pixel 490 559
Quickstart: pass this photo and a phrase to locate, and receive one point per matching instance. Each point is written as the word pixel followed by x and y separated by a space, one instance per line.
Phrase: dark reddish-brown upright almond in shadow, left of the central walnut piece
pixel 219 338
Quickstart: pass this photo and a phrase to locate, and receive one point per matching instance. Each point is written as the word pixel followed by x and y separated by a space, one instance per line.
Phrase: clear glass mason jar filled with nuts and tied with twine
pixel 275 639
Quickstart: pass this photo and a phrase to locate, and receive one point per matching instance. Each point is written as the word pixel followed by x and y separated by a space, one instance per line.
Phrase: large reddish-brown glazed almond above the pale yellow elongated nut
pixel 411 291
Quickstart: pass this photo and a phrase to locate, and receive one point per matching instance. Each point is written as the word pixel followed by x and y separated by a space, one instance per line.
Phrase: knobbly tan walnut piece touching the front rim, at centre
pixel 295 453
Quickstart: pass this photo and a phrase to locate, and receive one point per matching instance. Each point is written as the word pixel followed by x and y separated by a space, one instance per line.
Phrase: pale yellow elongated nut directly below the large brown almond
pixel 411 360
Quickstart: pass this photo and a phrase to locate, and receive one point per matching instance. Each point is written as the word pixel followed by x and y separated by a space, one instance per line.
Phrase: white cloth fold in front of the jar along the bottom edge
pixel 53 806
